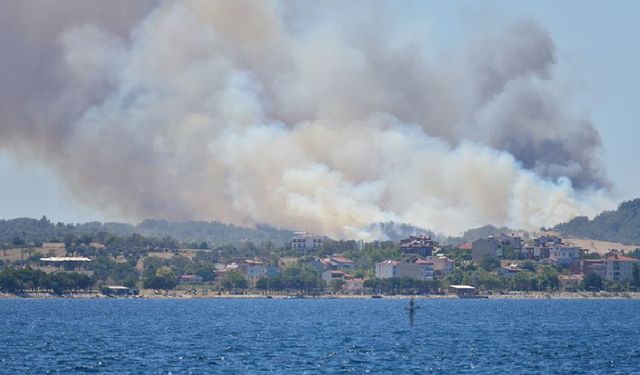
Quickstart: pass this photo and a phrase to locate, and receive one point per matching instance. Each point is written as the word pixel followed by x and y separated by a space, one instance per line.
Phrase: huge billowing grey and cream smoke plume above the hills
pixel 268 112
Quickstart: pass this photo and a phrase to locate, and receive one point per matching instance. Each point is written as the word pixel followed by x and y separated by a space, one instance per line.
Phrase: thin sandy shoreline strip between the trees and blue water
pixel 144 294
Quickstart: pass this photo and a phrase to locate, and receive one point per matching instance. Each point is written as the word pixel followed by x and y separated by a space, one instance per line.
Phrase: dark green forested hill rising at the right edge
pixel 621 225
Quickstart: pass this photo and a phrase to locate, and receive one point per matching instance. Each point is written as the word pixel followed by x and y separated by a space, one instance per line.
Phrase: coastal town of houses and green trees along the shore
pixel 313 265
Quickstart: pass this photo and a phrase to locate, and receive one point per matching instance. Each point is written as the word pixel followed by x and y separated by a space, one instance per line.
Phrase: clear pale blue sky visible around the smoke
pixel 596 58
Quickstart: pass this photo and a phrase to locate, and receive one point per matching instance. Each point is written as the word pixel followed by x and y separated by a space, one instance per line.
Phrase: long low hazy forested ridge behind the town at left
pixel 43 230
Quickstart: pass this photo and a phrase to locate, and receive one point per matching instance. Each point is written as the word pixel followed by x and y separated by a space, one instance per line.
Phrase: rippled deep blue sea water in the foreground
pixel 319 336
